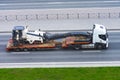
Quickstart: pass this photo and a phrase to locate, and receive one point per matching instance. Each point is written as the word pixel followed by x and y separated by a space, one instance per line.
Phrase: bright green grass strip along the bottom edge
pixel 101 73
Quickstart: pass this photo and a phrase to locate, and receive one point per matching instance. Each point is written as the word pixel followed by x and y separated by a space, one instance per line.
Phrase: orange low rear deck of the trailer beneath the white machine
pixel 30 47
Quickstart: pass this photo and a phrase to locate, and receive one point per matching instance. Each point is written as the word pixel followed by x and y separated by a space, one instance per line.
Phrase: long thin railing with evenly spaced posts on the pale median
pixel 59 16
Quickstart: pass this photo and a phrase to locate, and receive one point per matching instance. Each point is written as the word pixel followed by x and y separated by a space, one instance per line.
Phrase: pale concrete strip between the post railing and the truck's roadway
pixel 69 24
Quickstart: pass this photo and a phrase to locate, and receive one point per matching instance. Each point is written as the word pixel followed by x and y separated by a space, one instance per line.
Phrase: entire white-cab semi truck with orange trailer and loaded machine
pixel 24 39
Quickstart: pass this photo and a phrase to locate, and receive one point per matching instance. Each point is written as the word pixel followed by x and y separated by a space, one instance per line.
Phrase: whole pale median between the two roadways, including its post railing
pixel 62 19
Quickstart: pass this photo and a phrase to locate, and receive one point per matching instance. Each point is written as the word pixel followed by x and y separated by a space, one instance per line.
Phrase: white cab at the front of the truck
pixel 100 36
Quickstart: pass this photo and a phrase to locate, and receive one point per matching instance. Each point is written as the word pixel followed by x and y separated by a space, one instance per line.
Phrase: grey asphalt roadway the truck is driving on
pixel 111 54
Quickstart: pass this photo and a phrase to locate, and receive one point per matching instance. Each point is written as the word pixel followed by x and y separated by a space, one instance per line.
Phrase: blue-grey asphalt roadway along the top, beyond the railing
pixel 50 4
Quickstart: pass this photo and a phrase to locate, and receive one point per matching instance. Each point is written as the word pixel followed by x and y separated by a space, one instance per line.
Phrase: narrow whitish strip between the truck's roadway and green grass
pixel 60 64
